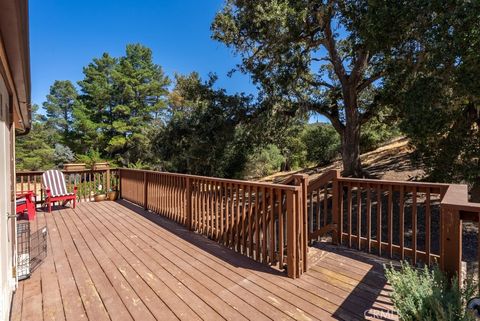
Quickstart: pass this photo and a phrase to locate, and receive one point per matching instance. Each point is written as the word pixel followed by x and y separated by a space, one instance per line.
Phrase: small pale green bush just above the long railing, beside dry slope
pixel 264 161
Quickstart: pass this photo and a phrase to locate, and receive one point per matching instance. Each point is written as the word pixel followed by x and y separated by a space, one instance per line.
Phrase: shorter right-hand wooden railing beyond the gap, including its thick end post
pixel 415 221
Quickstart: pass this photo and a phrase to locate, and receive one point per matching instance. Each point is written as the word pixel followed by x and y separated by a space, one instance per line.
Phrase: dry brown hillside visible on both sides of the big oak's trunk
pixel 390 162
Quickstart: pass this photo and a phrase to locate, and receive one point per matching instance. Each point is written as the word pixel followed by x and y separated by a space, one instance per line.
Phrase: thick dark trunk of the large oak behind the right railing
pixel 352 166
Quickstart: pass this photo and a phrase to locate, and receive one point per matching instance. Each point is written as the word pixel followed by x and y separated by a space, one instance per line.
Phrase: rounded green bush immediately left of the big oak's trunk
pixel 322 143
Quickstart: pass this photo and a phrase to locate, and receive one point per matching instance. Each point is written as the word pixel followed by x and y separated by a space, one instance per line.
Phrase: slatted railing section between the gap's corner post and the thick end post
pixel 394 218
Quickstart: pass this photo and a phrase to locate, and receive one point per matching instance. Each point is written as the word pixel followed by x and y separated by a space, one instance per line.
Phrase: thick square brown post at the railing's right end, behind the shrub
pixel 451 241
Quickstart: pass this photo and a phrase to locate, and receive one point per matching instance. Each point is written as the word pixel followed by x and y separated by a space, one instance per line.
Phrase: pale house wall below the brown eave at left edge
pixel 7 224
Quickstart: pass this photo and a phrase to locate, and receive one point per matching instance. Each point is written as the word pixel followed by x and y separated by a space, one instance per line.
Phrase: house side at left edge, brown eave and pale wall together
pixel 15 117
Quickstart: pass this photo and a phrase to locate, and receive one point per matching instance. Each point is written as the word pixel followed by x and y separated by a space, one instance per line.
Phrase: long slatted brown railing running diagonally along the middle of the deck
pixel 265 222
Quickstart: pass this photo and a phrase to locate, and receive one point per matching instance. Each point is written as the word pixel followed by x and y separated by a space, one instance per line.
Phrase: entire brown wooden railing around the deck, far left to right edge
pixel 272 223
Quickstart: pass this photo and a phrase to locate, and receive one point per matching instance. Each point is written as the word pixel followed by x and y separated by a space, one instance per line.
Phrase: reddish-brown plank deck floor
pixel 114 261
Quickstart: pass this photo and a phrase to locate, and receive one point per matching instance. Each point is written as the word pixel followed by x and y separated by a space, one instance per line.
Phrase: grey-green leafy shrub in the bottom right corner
pixel 422 295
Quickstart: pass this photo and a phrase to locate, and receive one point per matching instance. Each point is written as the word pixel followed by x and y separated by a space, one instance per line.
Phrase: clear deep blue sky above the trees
pixel 67 35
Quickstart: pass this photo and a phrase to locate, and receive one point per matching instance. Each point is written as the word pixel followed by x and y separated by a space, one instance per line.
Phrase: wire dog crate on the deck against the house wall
pixel 31 249
